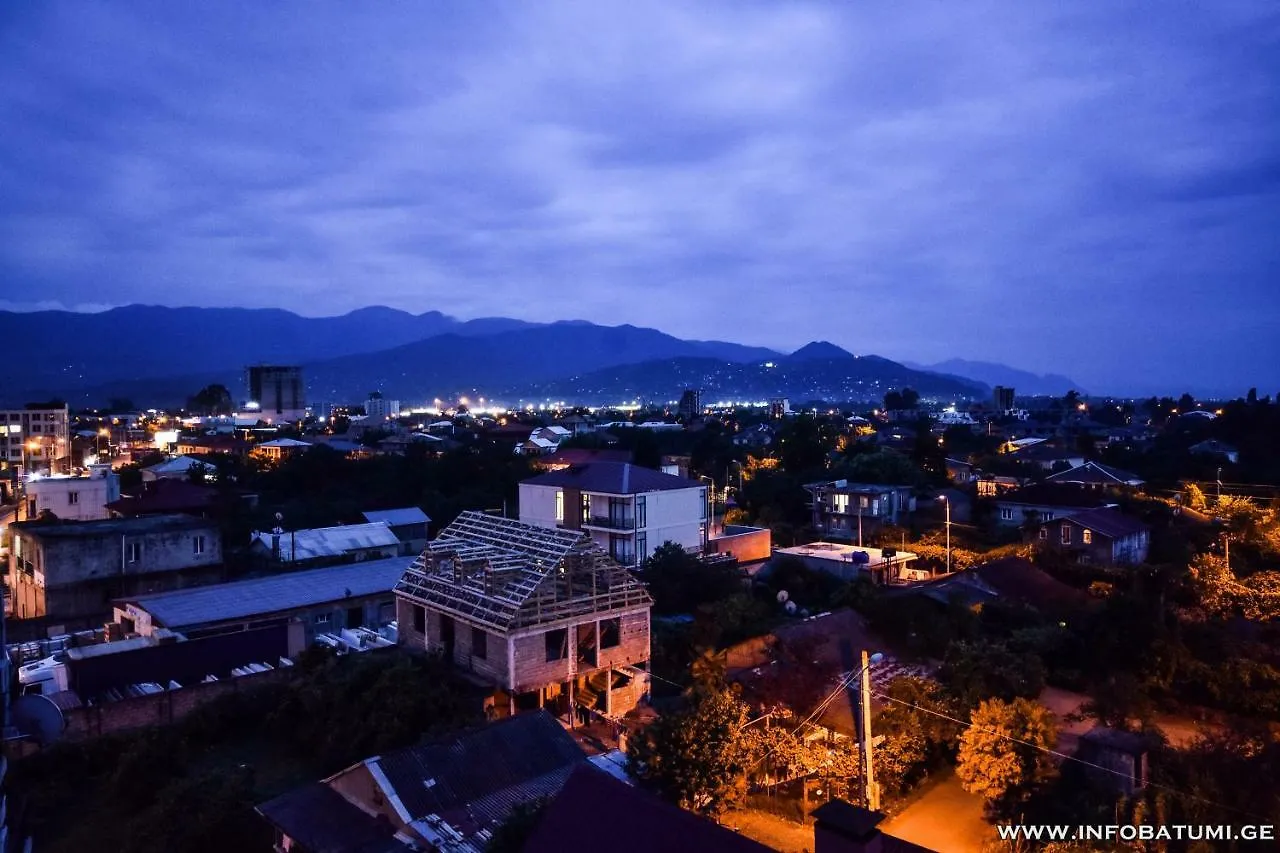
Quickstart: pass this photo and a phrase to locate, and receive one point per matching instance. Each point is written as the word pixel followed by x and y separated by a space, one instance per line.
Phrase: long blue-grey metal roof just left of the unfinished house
pixel 262 596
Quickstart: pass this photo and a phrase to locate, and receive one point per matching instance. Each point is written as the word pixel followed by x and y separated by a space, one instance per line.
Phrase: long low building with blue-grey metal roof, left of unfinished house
pixel 324 600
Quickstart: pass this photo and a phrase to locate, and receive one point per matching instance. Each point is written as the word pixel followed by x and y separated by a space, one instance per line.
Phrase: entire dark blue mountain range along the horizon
pixel 163 355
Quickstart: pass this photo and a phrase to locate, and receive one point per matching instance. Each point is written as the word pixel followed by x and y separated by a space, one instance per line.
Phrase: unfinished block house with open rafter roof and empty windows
pixel 542 615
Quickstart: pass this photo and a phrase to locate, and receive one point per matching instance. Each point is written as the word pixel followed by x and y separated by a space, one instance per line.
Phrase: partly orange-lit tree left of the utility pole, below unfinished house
pixel 696 758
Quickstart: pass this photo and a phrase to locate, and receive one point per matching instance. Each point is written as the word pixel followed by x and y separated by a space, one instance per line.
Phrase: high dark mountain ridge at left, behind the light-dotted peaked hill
pixel 164 354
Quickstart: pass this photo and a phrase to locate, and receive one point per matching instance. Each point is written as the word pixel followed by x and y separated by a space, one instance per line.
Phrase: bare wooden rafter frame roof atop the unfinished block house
pixel 496 572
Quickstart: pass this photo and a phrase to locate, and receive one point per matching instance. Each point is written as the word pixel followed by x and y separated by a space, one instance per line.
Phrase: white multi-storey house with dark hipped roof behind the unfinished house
pixel 629 510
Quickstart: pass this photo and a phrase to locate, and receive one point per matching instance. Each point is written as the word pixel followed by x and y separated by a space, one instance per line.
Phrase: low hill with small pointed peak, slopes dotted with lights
pixel 838 380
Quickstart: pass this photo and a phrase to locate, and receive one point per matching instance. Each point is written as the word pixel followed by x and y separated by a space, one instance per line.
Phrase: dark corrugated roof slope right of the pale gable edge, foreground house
pixel 474 781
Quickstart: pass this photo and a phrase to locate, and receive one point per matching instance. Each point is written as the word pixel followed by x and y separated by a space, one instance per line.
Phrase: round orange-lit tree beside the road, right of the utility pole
pixel 1003 754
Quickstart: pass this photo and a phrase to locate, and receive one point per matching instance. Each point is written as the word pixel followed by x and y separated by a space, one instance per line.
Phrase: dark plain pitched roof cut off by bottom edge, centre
pixel 596 806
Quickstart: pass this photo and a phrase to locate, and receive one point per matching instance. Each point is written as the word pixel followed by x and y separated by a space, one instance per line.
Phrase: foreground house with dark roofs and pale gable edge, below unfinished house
pixel 444 796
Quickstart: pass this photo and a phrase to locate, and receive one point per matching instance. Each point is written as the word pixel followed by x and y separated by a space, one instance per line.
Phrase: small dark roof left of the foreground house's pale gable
pixel 323 822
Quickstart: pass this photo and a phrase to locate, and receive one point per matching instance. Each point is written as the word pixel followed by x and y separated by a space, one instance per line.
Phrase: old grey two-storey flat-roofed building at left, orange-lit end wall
pixel 72 571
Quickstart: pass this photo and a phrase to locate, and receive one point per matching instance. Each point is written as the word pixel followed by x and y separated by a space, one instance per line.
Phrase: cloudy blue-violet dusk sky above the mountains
pixel 1091 189
